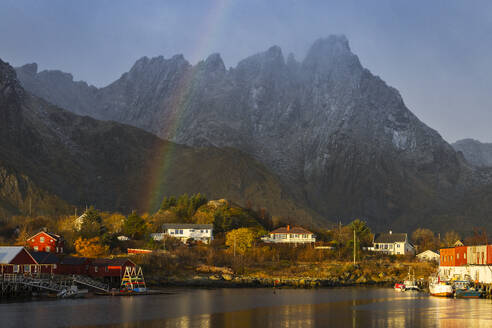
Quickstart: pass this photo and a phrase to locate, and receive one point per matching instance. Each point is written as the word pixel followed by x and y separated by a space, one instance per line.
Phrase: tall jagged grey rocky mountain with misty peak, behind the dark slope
pixel 338 137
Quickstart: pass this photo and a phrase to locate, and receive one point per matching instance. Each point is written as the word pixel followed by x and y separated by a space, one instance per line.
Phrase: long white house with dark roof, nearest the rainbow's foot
pixel 185 231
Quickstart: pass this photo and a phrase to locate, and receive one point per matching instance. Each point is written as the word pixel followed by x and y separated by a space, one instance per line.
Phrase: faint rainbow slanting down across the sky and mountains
pixel 159 167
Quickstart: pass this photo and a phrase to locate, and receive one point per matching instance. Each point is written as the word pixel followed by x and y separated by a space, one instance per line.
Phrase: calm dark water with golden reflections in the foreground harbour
pixel 342 307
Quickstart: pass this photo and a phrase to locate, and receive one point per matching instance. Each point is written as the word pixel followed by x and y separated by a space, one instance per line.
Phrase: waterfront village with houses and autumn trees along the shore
pixel 221 253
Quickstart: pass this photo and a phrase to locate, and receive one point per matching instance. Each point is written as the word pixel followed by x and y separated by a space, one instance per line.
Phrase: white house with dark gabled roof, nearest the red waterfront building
pixel 392 243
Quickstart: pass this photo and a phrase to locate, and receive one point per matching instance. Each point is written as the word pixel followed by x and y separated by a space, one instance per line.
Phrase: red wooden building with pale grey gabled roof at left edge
pixel 16 259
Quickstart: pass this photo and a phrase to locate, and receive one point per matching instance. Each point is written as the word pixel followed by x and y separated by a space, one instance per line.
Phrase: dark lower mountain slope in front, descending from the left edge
pixel 50 158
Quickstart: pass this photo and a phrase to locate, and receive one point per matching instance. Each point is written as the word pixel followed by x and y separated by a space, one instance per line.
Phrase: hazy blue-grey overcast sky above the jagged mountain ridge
pixel 437 53
